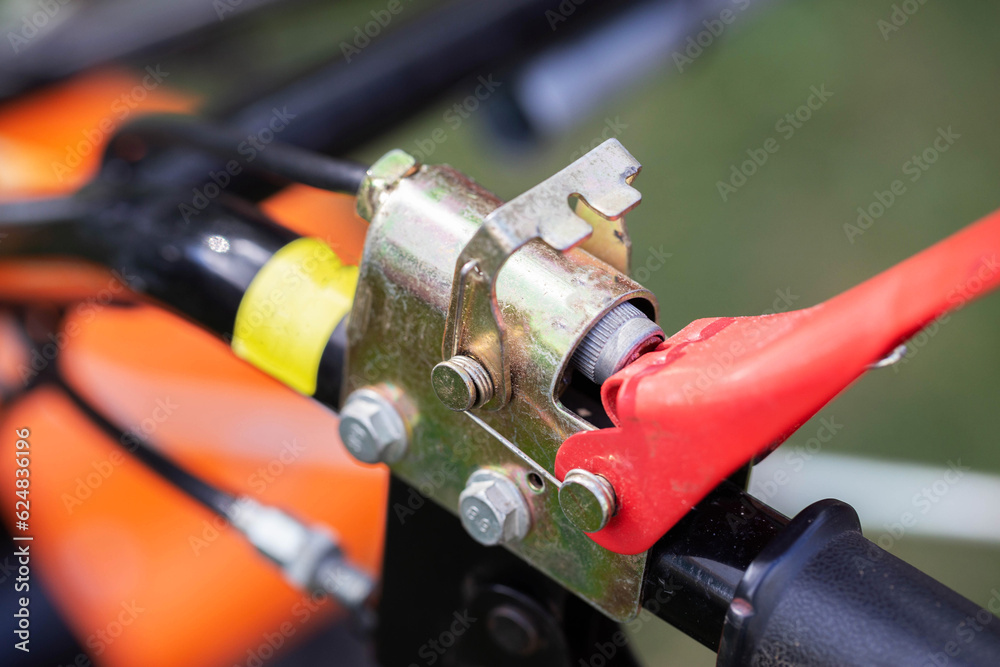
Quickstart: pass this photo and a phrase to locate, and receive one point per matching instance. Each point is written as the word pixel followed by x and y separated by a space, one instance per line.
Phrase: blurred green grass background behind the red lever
pixel 784 229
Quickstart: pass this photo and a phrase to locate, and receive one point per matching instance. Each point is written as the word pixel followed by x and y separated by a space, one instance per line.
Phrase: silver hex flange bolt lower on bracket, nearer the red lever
pixel 493 510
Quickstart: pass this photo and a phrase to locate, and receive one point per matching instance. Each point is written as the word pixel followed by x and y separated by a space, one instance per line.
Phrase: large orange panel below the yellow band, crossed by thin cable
pixel 108 532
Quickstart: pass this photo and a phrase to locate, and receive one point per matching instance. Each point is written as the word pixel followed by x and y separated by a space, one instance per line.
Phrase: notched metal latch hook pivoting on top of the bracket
pixel 585 201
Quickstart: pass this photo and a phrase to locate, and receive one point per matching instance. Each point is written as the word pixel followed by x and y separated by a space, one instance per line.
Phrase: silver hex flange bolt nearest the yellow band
pixel 371 428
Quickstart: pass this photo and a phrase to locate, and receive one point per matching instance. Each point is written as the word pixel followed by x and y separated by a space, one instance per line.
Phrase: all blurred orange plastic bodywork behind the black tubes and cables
pixel 112 538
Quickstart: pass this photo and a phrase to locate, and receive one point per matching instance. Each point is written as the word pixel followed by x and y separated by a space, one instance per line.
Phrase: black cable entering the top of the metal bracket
pixel 285 161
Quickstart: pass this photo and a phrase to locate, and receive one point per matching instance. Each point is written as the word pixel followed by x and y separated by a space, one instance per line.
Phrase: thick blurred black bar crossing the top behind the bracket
pixel 347 102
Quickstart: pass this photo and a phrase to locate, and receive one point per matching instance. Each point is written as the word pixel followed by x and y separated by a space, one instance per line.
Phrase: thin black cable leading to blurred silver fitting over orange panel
pixel 213 498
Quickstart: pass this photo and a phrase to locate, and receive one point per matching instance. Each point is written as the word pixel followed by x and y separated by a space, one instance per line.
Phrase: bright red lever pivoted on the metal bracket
pixel 724 390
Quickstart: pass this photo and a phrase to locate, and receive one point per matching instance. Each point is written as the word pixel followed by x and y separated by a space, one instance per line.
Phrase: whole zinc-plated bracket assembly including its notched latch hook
pixel 423 217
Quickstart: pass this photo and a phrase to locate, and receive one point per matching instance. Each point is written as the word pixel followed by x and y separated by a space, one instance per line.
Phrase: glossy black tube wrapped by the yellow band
pixel 198 265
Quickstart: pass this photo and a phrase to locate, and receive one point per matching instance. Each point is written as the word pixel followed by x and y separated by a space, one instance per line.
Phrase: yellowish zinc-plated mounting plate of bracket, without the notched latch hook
pixel 549 299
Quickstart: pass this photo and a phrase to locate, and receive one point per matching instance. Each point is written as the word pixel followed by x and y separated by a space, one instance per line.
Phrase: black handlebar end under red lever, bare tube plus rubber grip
pixel 813 592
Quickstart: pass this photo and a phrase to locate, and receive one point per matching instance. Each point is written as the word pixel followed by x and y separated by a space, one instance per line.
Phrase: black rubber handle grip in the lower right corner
pixel 821 594
